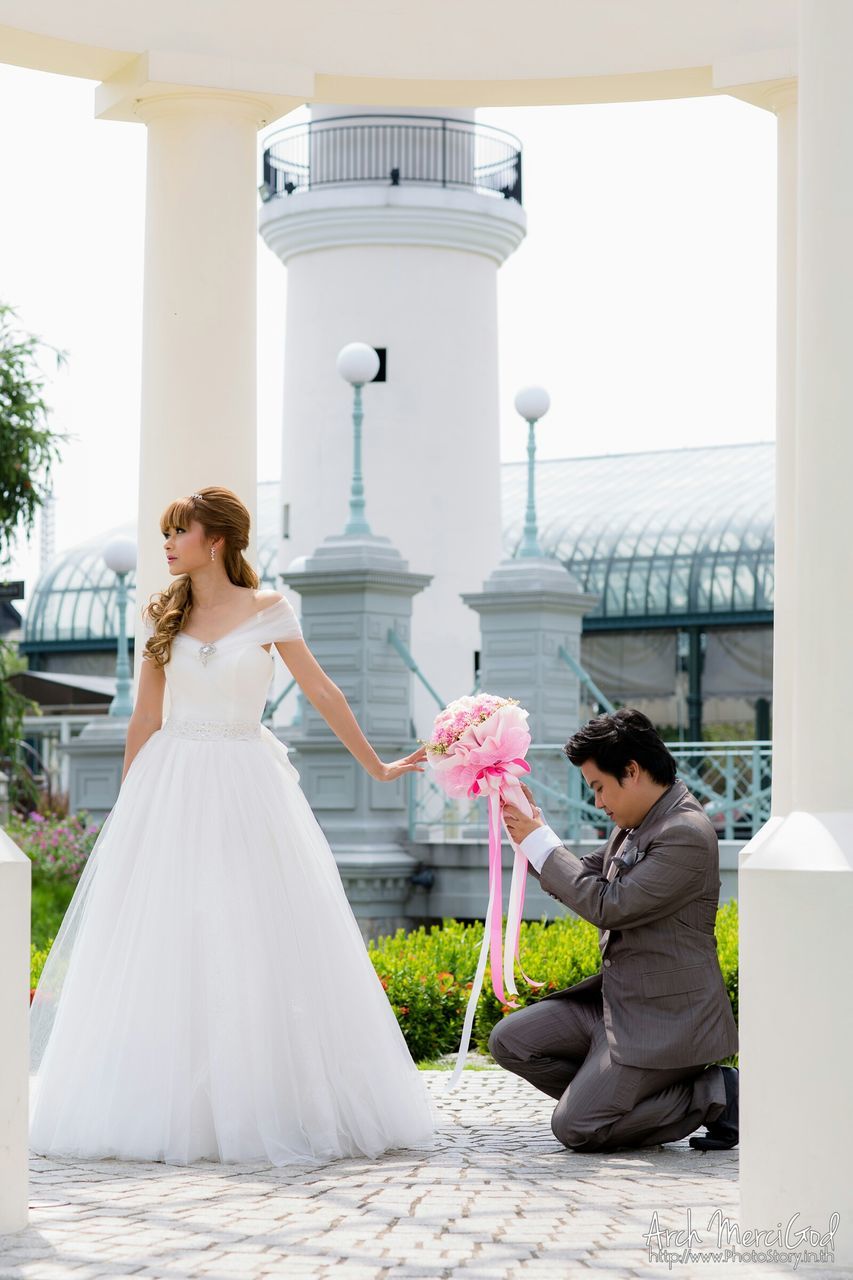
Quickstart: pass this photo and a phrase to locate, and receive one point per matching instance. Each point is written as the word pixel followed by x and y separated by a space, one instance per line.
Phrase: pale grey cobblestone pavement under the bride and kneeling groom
pixel 498 1199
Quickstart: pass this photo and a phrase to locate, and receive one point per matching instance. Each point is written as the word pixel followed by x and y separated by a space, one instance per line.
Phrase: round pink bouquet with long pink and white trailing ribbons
pixel 477 749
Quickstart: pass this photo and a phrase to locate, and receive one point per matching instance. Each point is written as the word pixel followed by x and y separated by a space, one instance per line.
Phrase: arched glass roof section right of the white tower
pixel 677 532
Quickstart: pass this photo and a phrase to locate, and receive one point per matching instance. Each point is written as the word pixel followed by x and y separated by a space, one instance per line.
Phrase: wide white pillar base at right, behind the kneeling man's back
pixel 797 1027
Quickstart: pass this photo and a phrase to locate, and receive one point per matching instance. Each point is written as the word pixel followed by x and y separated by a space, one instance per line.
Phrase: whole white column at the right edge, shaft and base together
pixel 797 876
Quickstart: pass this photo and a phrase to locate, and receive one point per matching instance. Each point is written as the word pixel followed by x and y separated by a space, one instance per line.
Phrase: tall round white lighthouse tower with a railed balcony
pixel 393 227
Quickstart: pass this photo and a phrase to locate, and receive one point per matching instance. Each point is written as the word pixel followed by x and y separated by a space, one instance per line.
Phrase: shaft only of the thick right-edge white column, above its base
pixel 825 409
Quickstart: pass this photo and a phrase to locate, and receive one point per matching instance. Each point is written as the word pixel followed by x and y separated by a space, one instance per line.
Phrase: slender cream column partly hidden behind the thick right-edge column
pixel 783 102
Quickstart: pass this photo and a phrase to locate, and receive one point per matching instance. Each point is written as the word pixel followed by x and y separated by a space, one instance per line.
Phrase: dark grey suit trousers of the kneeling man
pixel 560 1046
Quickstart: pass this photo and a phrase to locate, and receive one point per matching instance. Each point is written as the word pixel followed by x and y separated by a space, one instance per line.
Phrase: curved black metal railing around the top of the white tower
pixel 395 150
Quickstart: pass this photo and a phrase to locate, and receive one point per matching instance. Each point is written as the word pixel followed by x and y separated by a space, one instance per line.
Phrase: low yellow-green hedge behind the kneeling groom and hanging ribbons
pixel 428 975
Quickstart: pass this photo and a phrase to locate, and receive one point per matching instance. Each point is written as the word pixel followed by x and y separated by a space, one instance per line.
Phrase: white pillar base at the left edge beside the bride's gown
pixel 15 1046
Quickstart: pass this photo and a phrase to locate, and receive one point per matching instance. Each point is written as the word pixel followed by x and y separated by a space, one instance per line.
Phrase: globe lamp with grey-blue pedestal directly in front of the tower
pixel 358 586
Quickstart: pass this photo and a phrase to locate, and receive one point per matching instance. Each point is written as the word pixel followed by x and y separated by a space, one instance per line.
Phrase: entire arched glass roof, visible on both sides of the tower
pixel 678 532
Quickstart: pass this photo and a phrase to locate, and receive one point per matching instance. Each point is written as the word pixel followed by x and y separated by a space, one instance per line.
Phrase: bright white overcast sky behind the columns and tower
pixel 644 298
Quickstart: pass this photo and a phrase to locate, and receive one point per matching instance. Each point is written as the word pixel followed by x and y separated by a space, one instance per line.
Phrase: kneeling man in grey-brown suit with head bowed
pixel 626 1053
